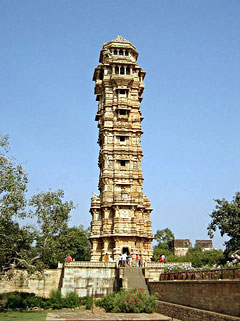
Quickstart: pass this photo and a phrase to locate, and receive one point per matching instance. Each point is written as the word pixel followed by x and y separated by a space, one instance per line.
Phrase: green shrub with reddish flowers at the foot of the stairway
pixel 128 301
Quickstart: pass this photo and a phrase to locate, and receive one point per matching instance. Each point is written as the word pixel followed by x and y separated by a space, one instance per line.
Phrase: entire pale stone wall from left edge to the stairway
pixel 85 278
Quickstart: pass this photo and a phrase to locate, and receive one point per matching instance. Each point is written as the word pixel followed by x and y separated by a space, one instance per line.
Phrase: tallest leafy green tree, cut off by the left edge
pixel 14 240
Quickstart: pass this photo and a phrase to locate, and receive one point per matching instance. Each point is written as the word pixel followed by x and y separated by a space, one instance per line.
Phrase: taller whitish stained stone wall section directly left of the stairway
pixel 90 278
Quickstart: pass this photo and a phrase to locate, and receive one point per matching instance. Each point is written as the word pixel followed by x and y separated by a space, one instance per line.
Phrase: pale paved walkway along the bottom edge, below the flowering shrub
pixel 88 316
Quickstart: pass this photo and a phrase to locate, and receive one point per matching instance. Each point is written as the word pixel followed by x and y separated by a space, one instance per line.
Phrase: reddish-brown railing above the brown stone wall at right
pixel 216 274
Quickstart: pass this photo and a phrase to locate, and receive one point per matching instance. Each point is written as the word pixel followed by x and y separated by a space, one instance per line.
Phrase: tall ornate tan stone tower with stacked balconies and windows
pixel 121 213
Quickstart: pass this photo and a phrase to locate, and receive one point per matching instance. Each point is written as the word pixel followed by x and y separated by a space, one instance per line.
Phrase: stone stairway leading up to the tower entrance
pixel 133 278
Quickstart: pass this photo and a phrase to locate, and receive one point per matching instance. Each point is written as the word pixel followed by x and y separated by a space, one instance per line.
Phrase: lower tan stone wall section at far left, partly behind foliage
pixel 40 284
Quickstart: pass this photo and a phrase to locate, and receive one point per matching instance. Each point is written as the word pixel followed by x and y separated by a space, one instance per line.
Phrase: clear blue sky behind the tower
pixel 191 53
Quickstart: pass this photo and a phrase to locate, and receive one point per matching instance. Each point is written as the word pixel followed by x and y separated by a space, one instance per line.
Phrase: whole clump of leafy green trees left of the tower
pixel 51 240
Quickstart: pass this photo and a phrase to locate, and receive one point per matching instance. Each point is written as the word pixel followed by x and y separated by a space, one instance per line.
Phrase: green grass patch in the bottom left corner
pixel 24 316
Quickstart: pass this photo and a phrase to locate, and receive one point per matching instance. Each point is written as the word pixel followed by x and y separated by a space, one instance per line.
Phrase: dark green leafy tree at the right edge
pixel 226 218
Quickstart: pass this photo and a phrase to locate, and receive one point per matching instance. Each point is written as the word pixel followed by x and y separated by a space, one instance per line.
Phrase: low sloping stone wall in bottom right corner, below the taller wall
pixel 184 313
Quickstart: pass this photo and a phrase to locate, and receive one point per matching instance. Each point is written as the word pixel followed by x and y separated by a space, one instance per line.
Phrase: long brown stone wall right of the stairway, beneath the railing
pixel 221 296
